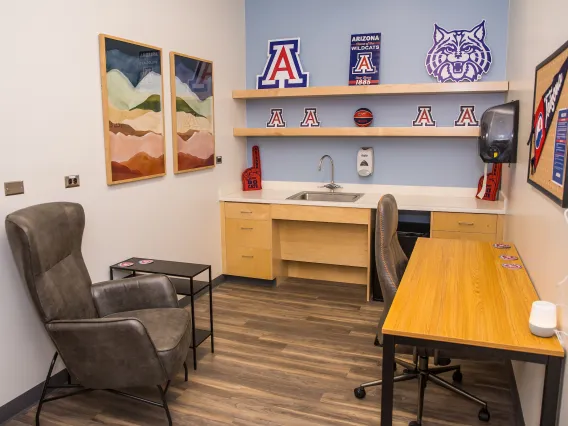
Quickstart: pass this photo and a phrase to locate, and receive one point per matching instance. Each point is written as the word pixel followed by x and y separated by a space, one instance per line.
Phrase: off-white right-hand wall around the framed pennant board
pixel 536 225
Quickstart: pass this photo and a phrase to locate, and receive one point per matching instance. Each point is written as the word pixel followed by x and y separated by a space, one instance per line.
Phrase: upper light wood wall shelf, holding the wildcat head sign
pixel 381 89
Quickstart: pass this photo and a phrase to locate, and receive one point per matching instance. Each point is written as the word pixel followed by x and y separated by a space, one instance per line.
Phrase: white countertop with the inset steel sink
pixel 426 200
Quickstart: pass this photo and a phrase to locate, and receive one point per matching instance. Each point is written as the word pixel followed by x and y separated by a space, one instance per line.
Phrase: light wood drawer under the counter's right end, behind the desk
pixel 467 226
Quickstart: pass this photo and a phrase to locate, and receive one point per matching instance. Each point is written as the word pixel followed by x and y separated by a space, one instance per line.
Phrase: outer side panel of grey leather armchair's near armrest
pixel 106 353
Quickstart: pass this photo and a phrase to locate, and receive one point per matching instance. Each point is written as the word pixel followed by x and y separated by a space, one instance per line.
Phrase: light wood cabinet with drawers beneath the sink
pixel 323 243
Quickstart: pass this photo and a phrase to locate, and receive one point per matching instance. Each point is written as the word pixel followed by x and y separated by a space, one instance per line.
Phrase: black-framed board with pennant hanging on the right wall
pixel 547 157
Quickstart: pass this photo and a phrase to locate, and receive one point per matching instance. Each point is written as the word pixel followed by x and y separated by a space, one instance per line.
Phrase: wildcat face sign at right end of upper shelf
pixel 459 55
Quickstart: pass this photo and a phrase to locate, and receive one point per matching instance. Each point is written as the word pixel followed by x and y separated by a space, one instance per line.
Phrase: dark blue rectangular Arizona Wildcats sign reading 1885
pixel 365 58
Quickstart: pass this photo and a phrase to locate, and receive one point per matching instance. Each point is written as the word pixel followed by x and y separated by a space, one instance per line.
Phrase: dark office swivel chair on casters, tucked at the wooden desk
pixel 391 263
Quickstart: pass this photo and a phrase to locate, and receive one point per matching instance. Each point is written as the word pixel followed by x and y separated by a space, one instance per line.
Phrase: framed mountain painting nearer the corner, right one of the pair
pixel 192 113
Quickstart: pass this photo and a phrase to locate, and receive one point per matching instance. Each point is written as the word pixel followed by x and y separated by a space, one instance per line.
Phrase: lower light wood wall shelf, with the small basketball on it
pixel 438 132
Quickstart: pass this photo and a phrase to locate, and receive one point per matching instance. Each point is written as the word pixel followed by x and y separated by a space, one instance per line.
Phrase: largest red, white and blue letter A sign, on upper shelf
pixel 283 68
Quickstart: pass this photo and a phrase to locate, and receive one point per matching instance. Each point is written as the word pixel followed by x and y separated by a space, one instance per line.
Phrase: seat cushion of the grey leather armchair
pixel 169 330
